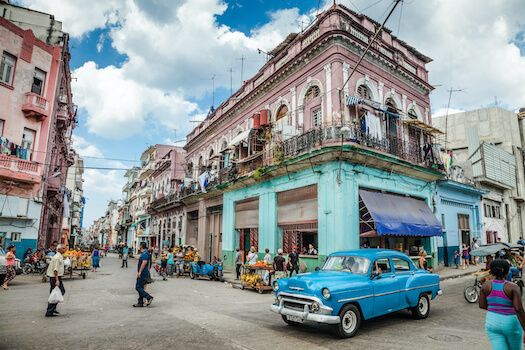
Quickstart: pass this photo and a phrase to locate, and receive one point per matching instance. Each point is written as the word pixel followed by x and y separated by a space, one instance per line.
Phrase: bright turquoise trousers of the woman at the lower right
pixel 504 331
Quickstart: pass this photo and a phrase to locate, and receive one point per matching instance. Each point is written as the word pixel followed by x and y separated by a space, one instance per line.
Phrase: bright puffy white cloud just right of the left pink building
pixel 119 107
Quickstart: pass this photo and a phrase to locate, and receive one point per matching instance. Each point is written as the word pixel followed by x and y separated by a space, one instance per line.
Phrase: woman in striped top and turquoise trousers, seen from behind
pixel 505 320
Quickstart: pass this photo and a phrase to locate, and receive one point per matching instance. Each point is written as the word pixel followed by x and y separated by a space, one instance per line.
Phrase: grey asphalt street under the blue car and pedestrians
pixel 199 314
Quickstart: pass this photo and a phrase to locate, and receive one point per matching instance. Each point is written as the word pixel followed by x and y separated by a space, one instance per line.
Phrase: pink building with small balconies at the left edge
pixel 36 120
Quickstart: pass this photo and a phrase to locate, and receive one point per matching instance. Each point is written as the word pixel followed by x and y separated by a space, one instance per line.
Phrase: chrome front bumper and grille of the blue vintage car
pixel 323 315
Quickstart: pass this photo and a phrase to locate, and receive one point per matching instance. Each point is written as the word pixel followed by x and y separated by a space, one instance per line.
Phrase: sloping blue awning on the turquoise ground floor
pixel 401 216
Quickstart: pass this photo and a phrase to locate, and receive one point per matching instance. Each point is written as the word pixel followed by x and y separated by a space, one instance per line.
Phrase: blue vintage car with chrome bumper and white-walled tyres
pixel 355 285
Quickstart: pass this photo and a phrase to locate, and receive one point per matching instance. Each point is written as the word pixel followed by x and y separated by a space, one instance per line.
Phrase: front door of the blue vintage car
pixel 385 287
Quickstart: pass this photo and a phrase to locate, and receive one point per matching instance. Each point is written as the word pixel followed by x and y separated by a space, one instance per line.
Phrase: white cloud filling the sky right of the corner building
pixel 472 46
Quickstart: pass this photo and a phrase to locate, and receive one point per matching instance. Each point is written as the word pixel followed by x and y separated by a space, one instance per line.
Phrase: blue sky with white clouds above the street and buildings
pixel 143 69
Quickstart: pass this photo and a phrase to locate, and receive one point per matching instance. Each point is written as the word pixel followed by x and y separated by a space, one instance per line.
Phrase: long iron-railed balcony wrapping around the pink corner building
pixel 325 144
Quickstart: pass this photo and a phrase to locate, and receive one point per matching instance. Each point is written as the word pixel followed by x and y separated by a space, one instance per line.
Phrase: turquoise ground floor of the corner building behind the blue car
pixel 322 208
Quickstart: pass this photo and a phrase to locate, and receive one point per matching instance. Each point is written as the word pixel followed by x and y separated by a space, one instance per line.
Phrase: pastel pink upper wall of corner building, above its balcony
pixel 326 69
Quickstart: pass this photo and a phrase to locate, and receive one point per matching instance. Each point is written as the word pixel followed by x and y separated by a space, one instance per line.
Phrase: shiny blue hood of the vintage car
pixel 321 279
